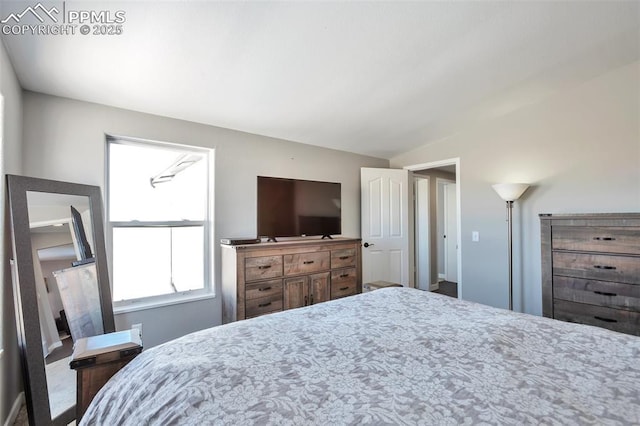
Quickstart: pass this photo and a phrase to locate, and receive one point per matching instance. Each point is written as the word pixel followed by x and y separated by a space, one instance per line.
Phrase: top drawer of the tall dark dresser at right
pixel 621 240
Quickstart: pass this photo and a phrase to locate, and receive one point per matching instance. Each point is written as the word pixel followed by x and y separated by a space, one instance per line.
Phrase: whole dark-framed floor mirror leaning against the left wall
pixel 60 284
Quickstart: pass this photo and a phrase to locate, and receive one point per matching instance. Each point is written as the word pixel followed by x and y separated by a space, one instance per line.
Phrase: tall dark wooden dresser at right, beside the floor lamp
pixel 591 269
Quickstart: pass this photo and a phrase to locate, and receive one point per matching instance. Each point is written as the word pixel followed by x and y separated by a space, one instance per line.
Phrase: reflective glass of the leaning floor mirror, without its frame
pixel 66 283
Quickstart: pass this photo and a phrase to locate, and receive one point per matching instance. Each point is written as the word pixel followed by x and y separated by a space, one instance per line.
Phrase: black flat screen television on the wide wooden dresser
pixel 296 208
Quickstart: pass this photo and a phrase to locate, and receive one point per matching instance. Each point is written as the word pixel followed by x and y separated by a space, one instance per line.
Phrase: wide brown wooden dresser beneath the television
pixel 258 279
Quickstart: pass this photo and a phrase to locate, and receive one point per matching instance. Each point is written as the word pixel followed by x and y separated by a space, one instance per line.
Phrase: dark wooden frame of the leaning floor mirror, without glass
pixel 25 296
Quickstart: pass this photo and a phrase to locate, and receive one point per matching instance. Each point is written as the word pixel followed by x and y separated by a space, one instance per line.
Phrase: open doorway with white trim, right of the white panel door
pixel 441 240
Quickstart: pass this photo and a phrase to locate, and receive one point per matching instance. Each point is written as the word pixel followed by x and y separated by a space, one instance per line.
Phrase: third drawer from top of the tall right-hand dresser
pixel 601 293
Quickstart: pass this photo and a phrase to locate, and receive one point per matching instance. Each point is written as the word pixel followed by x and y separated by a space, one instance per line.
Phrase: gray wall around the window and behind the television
pixel 65 140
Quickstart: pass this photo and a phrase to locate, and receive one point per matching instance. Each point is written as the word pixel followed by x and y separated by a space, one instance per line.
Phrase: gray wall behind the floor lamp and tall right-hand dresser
pixel 580 149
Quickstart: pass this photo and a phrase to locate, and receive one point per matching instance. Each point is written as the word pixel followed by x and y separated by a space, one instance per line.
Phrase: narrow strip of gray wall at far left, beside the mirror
pixel 10 160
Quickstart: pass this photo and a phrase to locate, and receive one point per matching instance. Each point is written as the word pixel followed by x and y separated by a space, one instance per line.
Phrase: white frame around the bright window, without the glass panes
pixel 208 290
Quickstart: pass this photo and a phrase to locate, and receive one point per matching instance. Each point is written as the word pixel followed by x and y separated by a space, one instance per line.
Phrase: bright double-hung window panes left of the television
pixel 159 216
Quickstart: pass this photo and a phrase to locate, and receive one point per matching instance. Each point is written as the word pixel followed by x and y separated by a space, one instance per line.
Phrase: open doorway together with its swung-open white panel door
pixel 390 206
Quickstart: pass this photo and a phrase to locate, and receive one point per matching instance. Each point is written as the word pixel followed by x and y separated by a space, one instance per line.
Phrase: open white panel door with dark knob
pixel 386 255
